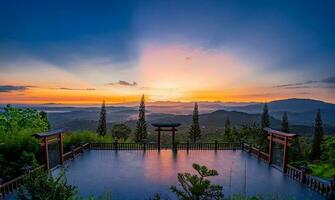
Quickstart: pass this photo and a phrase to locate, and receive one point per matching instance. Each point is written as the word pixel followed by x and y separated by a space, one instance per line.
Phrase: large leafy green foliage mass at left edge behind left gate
pixel 17 145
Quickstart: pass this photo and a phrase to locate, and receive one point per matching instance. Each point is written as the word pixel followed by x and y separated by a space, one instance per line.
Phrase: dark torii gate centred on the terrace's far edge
pixel 166 127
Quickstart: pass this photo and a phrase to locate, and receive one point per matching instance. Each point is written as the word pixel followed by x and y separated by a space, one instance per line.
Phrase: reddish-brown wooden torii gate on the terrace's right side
pixel 282 138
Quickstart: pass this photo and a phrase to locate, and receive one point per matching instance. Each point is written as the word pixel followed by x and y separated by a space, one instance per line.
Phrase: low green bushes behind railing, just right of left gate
pixel 81 137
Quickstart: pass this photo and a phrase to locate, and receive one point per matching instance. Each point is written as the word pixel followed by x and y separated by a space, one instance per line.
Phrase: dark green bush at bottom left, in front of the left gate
pixel 42 185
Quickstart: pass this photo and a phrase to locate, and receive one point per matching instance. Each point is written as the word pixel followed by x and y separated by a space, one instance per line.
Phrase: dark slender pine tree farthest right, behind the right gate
pixel 318 136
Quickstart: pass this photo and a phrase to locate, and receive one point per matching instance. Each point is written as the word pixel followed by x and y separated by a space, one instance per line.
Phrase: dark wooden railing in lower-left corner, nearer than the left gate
pixel 14 184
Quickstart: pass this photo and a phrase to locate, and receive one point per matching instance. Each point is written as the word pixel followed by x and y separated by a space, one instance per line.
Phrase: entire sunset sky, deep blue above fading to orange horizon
pixel 80 52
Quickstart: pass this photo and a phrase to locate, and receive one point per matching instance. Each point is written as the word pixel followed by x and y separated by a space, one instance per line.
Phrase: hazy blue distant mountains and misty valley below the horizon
pixel 301 113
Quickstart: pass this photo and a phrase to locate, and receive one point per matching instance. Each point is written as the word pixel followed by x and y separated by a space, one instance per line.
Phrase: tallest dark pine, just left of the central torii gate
pixel 141 125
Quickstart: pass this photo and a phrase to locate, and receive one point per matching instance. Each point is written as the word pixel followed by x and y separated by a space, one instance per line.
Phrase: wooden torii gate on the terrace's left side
pixel 49 138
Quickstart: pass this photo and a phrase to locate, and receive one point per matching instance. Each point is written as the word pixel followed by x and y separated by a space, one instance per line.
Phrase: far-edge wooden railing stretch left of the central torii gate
pixel 123 146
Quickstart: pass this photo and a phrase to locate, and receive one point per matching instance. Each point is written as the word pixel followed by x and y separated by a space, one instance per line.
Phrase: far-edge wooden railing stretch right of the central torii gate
pixel 208 146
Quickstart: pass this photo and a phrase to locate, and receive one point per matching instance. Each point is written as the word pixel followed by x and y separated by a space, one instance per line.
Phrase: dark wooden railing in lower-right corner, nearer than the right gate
pixel 317 184
